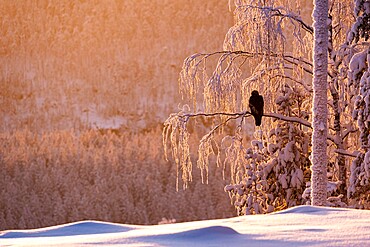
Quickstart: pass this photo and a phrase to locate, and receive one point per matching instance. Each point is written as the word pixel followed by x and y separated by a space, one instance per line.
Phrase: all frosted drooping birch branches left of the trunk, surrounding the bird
pixel 255 56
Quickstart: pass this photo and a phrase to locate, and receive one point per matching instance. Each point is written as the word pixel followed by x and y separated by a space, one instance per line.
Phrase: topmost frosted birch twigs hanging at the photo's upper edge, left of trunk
pixel 261 27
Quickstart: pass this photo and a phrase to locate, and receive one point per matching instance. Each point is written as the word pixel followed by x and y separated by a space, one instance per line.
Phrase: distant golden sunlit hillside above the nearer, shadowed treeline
pixel 99 63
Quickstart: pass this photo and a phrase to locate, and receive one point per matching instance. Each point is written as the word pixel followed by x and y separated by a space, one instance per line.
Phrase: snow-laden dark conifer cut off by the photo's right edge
pixel 359 82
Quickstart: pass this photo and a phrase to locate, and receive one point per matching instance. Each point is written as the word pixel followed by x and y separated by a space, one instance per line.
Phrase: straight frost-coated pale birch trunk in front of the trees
pixel 320 109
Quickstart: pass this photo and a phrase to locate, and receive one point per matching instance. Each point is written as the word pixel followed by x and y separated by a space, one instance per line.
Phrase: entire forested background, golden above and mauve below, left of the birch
pixel 84 89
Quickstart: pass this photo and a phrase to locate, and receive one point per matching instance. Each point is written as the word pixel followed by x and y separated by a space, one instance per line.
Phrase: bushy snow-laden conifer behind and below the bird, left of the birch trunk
pixel 277 168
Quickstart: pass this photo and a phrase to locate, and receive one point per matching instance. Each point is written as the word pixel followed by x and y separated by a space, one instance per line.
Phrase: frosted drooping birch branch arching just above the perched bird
pixel 220 90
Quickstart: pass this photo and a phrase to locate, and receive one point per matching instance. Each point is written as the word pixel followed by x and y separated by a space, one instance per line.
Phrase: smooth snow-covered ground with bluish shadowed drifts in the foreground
pixel 299 226
